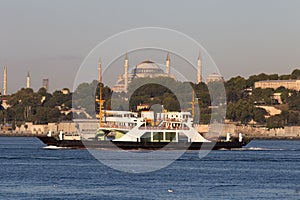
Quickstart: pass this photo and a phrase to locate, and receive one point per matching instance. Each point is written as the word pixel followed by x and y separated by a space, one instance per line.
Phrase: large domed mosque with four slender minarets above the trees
pixel 145 69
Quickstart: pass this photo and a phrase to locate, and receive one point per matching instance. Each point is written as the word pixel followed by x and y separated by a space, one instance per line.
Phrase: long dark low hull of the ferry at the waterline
pixel 143 145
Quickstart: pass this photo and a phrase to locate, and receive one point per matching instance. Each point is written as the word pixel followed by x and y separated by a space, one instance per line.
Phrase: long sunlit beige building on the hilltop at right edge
pixel 288 84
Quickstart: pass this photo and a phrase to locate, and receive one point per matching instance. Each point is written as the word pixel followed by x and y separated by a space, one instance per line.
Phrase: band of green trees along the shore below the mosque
pixel 242 100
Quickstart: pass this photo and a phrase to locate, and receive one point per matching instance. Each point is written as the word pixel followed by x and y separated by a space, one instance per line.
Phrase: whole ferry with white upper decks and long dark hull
pixel 125 130
